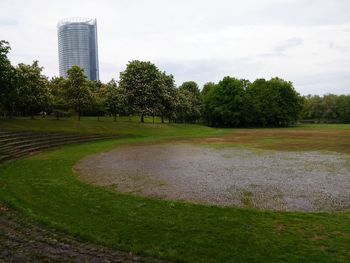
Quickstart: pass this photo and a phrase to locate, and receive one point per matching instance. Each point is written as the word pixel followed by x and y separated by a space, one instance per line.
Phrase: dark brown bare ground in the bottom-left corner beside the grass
pixel 22 240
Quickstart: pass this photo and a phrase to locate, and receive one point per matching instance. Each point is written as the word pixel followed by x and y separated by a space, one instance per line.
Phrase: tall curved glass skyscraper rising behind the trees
pixel 77 45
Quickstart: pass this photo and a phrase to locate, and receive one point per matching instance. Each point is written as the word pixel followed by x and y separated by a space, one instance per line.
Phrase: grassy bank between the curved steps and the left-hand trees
pixel 106 125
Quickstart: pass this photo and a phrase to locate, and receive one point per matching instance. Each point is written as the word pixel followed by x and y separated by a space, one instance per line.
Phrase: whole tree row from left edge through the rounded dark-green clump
pixel 144 90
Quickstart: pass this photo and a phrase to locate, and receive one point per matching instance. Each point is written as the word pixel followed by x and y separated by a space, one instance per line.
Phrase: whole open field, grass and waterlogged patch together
pixel 161 190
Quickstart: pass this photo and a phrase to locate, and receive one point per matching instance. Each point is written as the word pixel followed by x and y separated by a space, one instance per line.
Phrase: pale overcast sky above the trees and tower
pixel 306 42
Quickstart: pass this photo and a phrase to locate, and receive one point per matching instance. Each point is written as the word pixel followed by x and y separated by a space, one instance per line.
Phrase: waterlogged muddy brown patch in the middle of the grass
pixel 269 180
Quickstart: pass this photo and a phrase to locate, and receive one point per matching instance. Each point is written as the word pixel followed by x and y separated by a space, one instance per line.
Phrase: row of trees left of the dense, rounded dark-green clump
pixel 142 90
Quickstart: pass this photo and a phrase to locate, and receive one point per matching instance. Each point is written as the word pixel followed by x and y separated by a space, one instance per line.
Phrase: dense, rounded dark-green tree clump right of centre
pixel 233 102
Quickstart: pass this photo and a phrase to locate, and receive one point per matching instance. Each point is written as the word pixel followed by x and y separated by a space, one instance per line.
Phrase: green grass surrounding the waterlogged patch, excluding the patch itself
pixel 45 188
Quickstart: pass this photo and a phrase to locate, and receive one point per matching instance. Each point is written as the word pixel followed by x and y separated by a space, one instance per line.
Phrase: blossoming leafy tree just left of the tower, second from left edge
pixel 33 88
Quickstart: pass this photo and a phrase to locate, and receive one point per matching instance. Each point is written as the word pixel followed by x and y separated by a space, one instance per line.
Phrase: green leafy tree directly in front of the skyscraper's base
pixel 78 94
